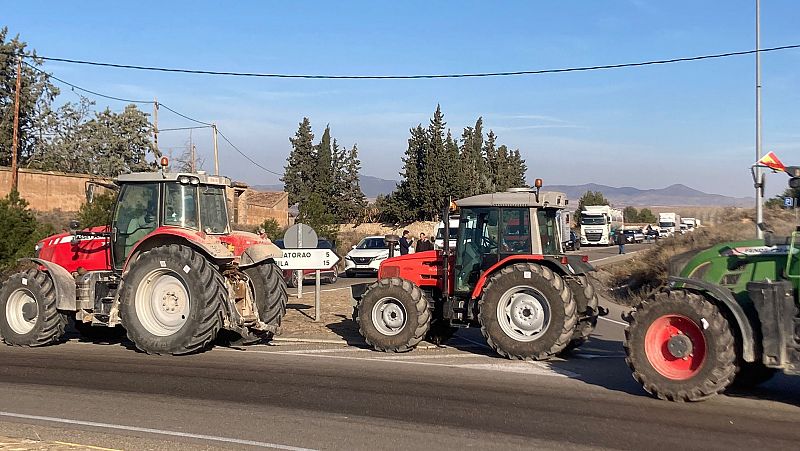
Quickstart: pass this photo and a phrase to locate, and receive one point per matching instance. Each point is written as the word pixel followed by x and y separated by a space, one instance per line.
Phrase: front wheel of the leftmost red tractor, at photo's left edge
pixel 35 320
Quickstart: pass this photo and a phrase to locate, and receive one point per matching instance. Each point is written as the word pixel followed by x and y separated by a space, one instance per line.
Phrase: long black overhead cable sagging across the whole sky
pixel 415 77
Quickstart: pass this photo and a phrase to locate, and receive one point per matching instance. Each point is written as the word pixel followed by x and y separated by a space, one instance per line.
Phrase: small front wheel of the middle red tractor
pixel 381 300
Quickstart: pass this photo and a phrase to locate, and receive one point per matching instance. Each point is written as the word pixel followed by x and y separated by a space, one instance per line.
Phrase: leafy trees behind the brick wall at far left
pixel 71 137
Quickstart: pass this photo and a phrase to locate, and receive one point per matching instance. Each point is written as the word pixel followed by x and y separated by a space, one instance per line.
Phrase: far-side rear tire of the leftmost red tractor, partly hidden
pixel 271 296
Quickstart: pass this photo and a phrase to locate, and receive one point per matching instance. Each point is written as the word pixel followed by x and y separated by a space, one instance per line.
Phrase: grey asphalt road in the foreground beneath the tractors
pixel 324 396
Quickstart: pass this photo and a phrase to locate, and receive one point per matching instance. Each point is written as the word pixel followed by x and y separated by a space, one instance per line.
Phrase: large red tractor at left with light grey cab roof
pixel 168 269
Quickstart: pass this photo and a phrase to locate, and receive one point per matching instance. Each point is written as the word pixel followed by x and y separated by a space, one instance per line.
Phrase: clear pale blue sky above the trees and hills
pixel 691 123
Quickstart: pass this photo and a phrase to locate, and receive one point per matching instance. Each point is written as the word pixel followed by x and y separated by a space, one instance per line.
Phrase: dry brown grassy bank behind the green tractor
pixel 632 280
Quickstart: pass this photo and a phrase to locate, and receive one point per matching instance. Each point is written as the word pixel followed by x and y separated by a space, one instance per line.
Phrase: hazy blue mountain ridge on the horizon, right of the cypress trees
pixel 673 195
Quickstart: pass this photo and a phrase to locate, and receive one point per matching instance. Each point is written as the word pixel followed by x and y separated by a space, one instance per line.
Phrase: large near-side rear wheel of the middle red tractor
pixel 549 292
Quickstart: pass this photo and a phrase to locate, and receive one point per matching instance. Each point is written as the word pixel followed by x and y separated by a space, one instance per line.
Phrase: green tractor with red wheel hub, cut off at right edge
pixel 728 317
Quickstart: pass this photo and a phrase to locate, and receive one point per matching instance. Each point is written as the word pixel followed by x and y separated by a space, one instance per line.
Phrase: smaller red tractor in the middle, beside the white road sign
pixel 507 275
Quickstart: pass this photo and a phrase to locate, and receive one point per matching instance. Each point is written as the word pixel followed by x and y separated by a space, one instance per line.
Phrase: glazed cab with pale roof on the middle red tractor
pixel 494 227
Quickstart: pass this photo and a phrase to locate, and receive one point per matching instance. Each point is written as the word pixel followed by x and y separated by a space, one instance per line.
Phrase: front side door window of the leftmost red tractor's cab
pixel 134 218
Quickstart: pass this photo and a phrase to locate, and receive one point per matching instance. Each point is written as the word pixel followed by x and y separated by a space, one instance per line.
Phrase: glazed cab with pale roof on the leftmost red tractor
pixel 148 201
